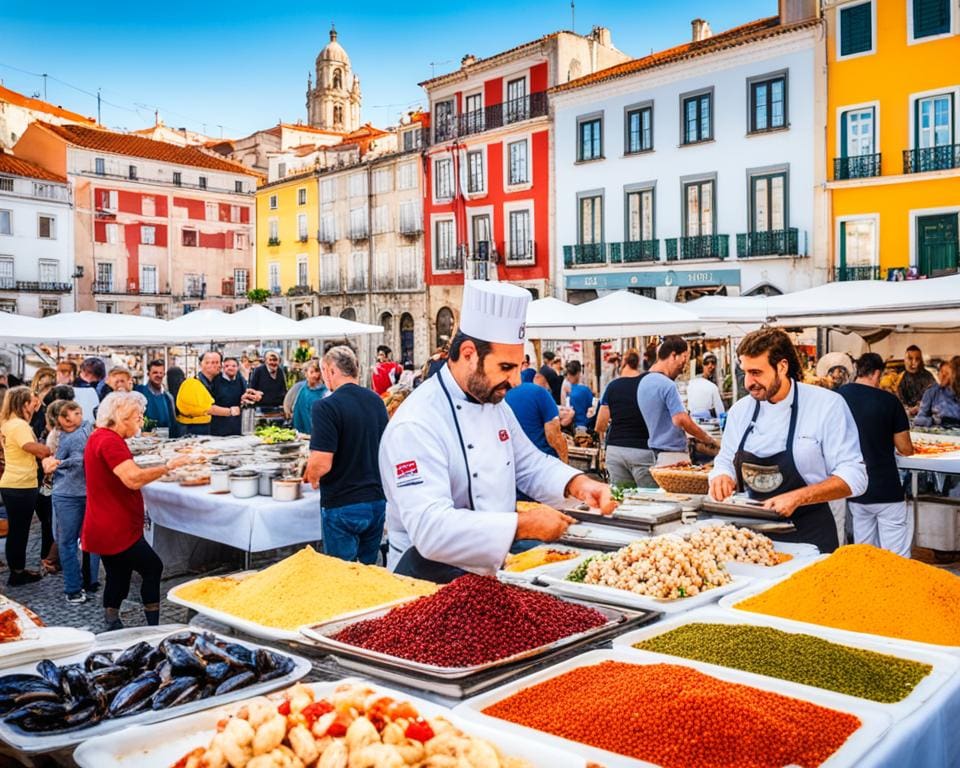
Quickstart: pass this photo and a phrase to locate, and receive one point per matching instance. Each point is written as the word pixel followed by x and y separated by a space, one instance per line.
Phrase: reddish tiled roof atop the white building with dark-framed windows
pixel 745 33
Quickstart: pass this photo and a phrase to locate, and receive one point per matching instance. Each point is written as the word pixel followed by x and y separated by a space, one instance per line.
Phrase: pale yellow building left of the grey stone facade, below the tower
pixel 287 225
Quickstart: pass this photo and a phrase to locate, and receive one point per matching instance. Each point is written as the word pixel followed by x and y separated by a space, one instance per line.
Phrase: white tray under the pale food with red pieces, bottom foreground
pixel 161 745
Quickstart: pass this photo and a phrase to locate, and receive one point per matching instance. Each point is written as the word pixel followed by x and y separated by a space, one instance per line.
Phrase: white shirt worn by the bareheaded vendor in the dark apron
pixel 826 441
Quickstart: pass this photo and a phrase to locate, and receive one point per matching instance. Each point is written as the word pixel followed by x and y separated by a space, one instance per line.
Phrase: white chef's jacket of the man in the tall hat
pixel 425 478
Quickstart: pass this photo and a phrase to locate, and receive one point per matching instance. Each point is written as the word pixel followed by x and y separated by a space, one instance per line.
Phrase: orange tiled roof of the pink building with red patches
pixel 138 146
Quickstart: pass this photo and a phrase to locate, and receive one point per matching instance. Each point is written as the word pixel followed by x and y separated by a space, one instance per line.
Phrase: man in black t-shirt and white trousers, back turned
pixel 880 515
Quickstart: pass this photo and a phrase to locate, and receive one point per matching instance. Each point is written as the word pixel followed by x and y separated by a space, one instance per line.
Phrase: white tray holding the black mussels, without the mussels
pixel 29 742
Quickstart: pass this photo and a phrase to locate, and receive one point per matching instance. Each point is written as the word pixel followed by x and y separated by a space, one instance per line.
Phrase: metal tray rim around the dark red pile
pixel 322 634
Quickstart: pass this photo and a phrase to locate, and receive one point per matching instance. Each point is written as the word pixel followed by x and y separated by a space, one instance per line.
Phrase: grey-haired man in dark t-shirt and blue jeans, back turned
pixel 344 451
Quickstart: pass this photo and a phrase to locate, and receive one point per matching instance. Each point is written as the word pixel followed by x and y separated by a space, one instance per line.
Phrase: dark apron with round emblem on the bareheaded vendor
pixel 764 477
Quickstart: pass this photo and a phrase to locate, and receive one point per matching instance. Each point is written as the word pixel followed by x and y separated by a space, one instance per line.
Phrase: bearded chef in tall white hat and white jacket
pixel 454 455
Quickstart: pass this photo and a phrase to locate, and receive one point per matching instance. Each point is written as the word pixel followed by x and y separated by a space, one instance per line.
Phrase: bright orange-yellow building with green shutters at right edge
pixel 892 136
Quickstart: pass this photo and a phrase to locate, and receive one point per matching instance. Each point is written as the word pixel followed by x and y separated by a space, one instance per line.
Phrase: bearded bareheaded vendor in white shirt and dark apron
pixel 793 446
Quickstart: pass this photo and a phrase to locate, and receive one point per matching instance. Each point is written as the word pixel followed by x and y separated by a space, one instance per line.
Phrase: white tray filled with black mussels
pixel 130 677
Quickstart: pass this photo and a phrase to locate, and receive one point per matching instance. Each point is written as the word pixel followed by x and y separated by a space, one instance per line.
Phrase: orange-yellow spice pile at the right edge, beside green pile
pixel 866 589
